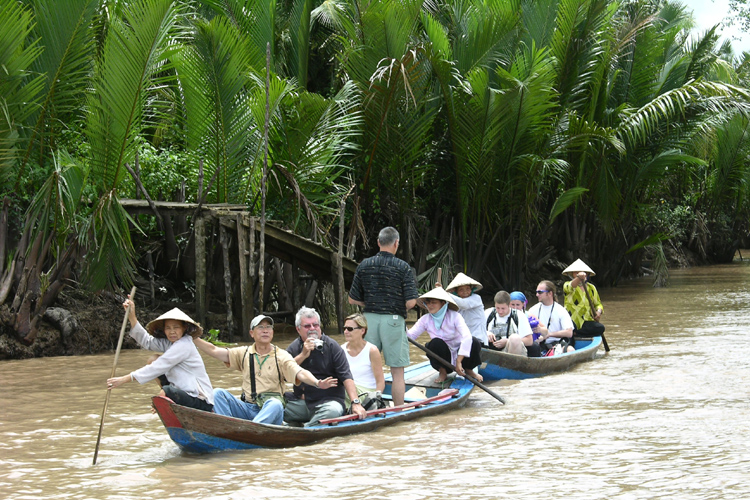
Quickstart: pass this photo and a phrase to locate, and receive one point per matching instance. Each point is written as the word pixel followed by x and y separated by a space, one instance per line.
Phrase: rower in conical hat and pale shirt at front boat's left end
pixel 172 334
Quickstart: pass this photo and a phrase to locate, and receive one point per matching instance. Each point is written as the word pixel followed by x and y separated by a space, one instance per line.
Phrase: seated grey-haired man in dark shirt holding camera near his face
pixel 325 359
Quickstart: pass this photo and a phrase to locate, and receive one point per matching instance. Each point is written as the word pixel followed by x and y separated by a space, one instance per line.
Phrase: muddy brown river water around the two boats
pixel 663 415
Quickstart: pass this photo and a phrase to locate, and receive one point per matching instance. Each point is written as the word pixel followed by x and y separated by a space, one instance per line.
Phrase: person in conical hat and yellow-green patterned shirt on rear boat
pixel 582 300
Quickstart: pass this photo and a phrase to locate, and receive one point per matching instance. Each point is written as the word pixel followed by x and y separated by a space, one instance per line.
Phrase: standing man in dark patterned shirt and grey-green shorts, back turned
pixel 384 285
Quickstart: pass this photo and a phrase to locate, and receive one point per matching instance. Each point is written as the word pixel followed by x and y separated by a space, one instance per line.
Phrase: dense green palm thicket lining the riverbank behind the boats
pixel 503 138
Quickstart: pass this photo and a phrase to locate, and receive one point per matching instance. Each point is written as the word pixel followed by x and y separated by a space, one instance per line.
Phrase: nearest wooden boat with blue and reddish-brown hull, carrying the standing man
pixel 203 432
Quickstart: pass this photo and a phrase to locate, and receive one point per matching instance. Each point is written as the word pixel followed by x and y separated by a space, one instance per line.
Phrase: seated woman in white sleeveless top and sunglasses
pixel 364 358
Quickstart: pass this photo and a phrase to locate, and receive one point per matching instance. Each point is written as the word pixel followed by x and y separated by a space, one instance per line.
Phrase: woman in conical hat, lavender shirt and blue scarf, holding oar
pixel 450 337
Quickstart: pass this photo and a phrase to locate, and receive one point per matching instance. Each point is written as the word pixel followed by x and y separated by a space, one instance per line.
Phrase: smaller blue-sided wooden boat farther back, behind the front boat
pixel 497 365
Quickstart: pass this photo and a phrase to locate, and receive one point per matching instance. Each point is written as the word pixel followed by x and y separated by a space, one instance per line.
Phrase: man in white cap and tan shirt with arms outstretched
pixel 265 370
